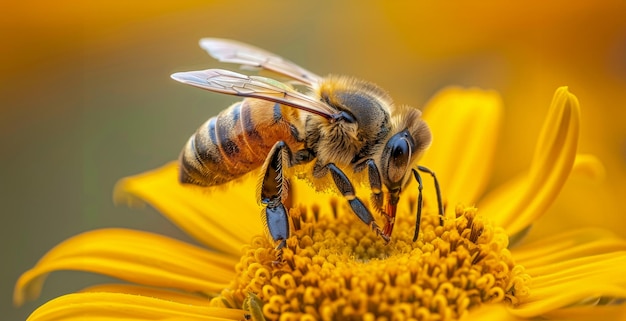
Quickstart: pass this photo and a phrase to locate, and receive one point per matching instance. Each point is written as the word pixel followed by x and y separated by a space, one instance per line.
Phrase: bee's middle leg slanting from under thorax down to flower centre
pixel 347 190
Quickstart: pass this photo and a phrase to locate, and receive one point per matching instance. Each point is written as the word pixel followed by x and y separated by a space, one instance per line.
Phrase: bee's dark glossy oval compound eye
pixel 399 155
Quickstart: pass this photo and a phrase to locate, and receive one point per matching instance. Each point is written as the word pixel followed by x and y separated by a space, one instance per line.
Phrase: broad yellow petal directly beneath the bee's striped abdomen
pixel 219 217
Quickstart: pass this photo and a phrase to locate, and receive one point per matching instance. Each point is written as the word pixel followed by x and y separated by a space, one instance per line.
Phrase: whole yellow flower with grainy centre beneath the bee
pixel 334 267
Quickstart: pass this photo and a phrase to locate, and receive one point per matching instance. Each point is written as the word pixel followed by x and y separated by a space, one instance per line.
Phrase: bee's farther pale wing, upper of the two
pixel 240 53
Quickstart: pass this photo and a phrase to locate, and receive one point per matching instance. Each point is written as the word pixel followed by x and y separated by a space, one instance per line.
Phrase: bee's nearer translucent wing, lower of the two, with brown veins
pixel 232 83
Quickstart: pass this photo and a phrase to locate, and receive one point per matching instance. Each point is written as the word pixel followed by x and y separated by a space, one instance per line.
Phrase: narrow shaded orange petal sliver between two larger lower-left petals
pixel 180 297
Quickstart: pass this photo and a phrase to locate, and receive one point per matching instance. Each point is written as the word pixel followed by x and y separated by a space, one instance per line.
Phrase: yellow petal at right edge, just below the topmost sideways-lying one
pixel 573 281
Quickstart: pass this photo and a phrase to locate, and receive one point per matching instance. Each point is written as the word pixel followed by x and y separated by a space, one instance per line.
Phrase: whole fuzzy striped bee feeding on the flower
pixel 338 124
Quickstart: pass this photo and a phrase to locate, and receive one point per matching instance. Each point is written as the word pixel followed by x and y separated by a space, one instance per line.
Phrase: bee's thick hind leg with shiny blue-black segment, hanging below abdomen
pixel 273 191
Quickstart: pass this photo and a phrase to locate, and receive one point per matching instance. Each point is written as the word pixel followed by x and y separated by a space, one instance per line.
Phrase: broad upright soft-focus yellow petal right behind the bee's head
pixel 465 124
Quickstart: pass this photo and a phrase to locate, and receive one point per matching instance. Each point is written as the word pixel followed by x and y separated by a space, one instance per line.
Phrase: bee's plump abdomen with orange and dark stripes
pixel 237 141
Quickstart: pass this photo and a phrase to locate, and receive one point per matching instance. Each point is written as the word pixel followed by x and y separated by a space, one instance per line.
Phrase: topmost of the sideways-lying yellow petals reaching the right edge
pixel 566 246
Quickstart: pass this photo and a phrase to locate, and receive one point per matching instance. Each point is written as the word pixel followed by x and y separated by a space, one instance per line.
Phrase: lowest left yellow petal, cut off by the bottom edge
pixel 119 306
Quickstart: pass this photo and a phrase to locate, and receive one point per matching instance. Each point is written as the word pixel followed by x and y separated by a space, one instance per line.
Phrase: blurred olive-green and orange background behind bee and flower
pixel 86 98
